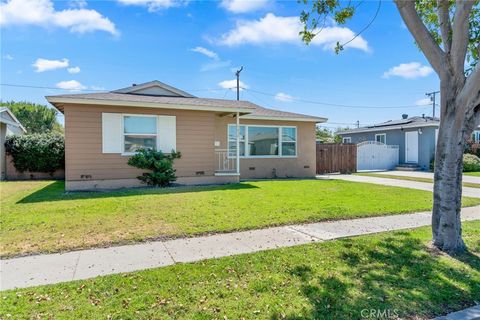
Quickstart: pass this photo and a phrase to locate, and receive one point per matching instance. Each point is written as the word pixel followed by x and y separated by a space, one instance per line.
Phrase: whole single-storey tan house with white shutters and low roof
pixel 103 129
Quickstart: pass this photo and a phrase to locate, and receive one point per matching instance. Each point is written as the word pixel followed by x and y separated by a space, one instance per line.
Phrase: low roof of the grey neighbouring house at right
pixel 413 122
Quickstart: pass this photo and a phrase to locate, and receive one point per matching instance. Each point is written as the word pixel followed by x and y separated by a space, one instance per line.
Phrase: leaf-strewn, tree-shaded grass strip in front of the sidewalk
pixel 395 273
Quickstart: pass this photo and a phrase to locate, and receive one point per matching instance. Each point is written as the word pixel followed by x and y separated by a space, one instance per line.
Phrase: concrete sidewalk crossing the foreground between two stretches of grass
pixel 53 268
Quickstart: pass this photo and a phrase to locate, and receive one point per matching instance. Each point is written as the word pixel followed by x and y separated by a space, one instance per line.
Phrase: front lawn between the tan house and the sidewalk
pixel 41 217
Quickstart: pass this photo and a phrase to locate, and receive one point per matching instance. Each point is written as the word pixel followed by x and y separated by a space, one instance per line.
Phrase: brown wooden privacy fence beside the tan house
pixel 336 157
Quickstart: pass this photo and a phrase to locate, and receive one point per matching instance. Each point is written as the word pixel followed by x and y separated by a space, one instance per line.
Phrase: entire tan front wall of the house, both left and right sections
pixel 87 167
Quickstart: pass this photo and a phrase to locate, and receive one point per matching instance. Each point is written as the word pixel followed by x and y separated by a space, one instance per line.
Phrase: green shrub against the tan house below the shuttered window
pixel 160 164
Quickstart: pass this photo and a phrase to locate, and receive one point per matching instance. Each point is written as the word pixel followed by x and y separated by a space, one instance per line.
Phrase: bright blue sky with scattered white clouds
pixel 196 45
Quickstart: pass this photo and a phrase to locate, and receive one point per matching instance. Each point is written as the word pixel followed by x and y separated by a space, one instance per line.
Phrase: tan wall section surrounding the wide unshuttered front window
pixel 258 168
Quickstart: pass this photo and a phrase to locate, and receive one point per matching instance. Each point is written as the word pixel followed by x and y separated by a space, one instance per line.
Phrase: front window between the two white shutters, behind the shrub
pixel 139 132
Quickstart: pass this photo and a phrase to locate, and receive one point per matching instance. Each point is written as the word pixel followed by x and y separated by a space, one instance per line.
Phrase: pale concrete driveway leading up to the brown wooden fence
pixel 467 192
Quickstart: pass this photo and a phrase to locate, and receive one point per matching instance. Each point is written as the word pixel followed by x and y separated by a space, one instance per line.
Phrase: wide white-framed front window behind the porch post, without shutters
pixel 263 141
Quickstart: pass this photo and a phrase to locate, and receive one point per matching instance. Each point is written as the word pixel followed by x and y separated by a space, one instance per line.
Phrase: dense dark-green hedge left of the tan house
pixel 43 152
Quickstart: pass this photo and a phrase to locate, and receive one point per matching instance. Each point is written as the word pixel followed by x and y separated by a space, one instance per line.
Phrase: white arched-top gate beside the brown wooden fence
pixel 373 155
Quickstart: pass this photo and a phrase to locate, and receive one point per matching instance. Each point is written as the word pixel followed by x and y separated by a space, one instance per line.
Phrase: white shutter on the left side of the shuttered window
pixel 112 135
